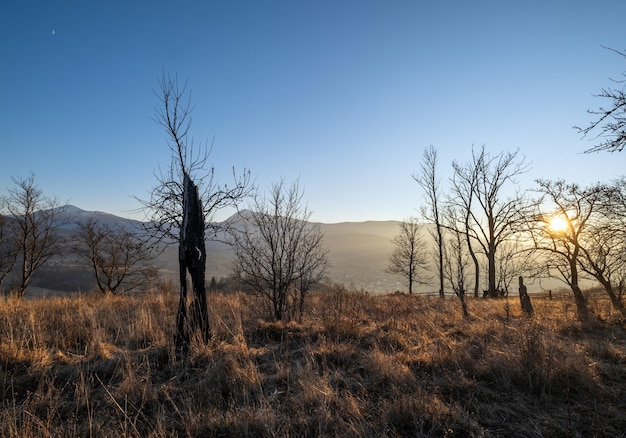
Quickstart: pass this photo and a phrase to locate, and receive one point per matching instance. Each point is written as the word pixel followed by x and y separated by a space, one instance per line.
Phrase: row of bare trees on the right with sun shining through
pixel 489 231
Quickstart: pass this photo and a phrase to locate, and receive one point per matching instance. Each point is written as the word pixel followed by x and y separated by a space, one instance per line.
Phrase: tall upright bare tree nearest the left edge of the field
pixel 33 221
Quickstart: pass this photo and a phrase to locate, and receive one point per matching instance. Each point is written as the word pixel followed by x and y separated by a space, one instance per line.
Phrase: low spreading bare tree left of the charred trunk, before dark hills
pixel 119 259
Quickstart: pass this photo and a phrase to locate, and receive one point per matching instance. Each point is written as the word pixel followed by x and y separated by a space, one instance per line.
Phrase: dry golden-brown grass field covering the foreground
pixel 355 366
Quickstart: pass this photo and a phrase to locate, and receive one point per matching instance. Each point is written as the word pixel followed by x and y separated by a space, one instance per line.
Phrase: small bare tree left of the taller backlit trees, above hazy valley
pixel 409 257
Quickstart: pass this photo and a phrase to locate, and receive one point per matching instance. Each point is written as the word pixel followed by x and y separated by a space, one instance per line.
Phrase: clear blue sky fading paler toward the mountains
pixel 343 95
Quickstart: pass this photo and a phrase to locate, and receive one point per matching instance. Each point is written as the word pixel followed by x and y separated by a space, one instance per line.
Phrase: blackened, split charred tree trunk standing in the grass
pixel 192 317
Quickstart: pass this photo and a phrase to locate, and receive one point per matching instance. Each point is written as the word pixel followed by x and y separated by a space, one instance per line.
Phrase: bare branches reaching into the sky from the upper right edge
pixel 610 122
